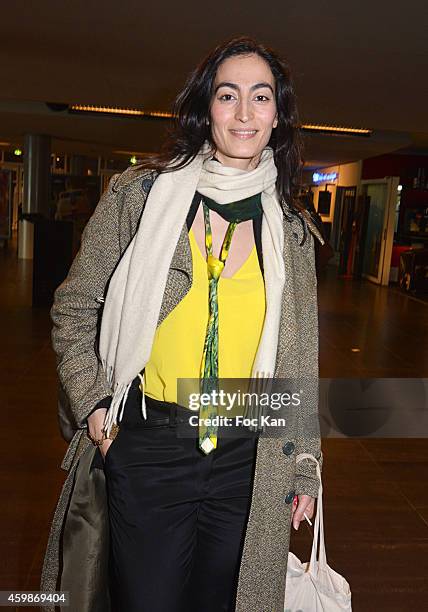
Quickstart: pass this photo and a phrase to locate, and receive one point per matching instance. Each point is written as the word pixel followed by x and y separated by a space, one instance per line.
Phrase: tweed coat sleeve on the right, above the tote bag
pixel 308 428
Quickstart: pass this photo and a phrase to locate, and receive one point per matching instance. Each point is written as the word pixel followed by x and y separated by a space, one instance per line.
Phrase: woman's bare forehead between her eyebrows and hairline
pixel 245 70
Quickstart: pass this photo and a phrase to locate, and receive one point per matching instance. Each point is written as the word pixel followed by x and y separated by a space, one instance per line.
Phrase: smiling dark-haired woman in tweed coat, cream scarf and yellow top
pixel 172 516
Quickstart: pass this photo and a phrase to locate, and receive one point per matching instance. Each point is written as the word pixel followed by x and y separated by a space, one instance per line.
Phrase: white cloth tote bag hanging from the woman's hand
pixel 314 586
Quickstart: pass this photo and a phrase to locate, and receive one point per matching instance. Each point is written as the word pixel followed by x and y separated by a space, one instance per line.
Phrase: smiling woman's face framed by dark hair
pixel 243 110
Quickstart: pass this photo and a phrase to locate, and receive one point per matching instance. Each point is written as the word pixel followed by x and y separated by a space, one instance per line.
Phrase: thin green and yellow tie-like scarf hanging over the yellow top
pixel 235 212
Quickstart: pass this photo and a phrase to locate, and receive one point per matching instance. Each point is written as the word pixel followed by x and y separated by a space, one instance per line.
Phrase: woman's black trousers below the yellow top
pixel 177 516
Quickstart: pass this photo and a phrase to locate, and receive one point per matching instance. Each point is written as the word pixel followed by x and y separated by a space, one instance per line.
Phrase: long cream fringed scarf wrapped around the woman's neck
pixel 135 293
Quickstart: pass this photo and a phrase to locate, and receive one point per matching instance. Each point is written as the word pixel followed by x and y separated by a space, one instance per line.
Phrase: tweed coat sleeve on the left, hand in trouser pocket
pixel 76 308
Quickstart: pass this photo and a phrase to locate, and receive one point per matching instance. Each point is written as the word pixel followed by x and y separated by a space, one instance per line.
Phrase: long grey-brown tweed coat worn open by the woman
pixel 77 549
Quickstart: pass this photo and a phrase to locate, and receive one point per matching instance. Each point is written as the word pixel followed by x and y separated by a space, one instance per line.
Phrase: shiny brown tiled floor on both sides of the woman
pixel 375 490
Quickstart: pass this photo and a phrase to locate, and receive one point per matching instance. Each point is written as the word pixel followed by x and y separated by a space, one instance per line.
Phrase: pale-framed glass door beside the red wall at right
pixel 380 195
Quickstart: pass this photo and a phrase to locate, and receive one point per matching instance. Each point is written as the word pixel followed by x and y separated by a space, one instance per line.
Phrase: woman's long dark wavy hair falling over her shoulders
pixel 191 111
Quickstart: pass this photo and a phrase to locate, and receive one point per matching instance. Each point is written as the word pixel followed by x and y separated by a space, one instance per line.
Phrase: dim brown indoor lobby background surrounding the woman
pixel 86 90
